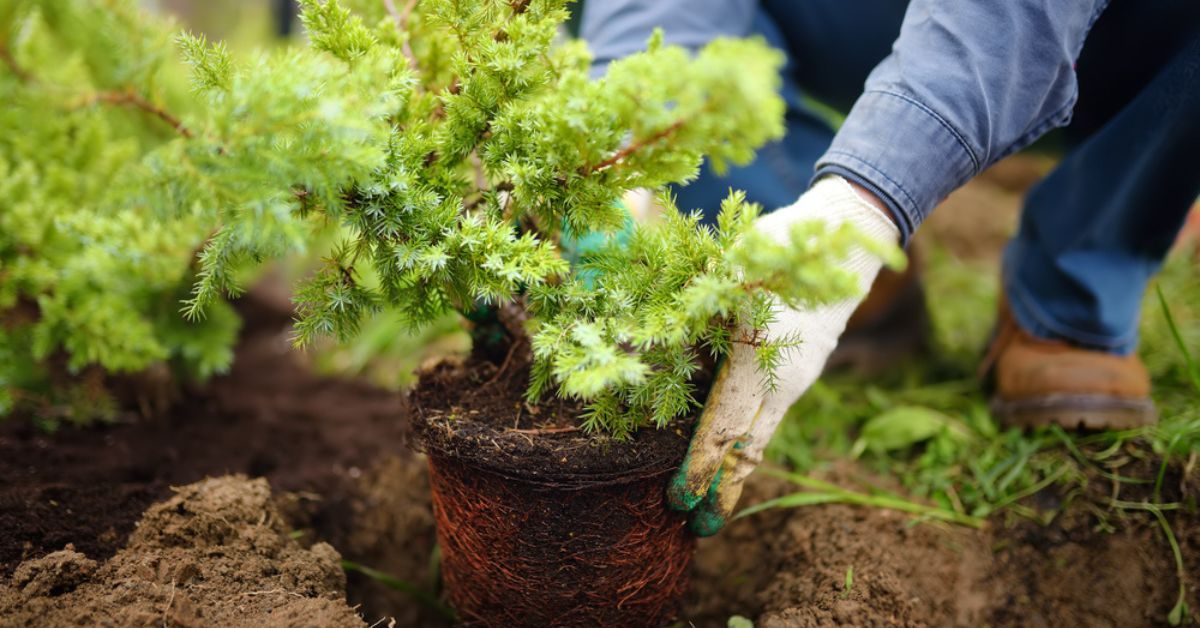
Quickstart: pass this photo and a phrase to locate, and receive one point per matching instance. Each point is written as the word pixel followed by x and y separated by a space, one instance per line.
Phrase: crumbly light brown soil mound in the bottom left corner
pixel 215 554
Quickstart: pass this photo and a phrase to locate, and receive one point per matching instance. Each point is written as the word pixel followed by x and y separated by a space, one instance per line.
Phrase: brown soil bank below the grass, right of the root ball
pixel 788 569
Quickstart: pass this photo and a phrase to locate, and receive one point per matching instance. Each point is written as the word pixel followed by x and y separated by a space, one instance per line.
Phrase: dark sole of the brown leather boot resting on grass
pixel 1076 412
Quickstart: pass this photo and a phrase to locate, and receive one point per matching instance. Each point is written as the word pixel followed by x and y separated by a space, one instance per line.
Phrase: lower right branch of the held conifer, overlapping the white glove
pixel 627 333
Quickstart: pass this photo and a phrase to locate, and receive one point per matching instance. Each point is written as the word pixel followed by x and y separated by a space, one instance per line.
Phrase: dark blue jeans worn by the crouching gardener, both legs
pixel 1097 229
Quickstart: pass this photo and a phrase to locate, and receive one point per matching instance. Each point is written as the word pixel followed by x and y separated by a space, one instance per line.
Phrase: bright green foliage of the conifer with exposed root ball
pixel 493 141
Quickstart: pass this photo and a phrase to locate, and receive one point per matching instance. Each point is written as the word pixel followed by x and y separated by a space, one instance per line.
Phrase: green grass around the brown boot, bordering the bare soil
pixel 928 424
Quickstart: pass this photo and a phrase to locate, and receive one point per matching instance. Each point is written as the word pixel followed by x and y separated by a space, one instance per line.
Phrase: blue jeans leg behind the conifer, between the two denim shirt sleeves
pixel 831 47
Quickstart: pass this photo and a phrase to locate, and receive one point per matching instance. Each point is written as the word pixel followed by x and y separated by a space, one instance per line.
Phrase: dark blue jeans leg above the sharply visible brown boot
pixel 1097 229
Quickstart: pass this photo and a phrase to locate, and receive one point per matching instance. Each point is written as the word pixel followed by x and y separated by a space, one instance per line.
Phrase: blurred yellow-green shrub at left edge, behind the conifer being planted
pixel 91 278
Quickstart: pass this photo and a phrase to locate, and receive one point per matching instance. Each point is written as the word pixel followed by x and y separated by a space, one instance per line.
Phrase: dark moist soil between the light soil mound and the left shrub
pixel 317 440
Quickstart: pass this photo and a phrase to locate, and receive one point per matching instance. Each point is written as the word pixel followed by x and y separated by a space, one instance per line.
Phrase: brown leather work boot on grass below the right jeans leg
pixel 1041 382
